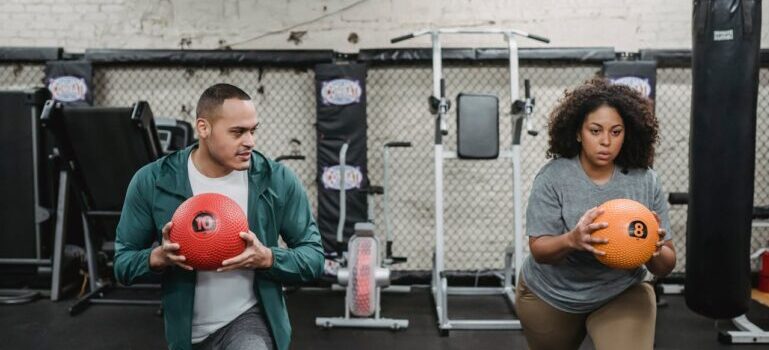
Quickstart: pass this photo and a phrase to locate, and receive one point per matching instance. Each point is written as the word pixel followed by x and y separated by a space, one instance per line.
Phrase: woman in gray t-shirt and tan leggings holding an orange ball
pixel 602 139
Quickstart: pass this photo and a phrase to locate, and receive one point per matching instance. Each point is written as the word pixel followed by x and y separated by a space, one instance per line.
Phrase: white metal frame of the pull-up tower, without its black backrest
pixel 513 256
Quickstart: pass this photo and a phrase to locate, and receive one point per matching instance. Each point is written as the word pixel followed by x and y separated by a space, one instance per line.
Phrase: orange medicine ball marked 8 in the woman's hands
pixel 632 234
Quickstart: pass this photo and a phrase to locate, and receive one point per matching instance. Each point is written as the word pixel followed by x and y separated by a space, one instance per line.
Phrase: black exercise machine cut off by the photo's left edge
pixel 32 240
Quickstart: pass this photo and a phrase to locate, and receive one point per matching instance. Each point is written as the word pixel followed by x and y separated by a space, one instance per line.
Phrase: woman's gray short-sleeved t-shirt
pixel 562 192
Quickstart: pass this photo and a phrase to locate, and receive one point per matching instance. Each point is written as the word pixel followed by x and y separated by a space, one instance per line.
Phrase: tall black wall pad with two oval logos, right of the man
pixel 341 105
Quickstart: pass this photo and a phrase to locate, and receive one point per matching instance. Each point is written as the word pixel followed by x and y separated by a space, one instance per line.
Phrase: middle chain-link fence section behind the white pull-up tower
pixel 478 196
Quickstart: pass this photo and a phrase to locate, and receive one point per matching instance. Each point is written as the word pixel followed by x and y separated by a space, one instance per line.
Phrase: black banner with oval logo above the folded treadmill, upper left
pixel 70 81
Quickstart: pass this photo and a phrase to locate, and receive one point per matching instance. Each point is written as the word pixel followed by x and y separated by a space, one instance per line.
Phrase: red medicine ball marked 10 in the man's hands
pixel 207 228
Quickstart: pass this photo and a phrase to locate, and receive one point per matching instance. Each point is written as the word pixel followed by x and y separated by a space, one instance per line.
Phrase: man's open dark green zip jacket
pixel 277 206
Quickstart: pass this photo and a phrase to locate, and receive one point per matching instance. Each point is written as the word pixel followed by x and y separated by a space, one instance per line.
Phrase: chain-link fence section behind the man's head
pixel 284 98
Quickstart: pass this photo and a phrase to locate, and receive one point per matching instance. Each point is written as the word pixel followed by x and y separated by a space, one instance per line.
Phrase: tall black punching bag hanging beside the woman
pixel 725 57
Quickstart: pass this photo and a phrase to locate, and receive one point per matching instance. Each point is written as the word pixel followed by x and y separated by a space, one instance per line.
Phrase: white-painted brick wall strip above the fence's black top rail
pixel 80 24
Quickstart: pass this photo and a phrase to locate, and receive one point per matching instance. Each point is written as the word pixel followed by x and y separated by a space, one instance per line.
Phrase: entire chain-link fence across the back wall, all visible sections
pixel 478 194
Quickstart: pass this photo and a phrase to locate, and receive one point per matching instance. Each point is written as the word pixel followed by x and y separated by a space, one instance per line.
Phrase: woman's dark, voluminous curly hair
pixel 637 112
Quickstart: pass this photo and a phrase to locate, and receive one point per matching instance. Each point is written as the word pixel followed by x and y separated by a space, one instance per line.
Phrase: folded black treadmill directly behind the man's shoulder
pixel 102 147
